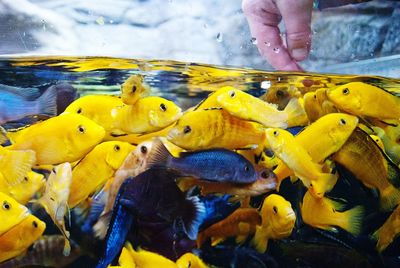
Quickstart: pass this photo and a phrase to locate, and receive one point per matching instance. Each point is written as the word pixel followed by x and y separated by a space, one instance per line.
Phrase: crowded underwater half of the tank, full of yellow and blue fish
pixel 116 162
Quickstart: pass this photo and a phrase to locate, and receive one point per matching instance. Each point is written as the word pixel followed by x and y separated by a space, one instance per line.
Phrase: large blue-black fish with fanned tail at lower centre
pixel 151 200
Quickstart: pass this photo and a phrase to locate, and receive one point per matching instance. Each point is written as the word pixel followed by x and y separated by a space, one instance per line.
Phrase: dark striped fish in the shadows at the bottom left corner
pixel 48 252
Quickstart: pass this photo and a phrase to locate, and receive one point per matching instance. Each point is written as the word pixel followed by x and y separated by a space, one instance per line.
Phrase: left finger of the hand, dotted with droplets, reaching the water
pixel 263 18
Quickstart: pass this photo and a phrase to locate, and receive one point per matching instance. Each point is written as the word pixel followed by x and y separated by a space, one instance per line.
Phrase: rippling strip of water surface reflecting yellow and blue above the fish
pixel 184 83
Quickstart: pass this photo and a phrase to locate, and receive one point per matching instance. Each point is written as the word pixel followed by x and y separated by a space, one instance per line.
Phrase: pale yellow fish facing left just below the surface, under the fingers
pixel 245 106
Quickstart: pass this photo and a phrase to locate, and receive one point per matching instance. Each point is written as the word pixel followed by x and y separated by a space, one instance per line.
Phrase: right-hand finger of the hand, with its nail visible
pixel 296 15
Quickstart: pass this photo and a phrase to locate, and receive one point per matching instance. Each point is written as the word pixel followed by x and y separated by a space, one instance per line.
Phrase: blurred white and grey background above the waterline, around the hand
pixel 353 39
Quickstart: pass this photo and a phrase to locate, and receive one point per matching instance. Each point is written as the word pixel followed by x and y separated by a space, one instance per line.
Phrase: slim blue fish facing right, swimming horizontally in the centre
pixel 218 165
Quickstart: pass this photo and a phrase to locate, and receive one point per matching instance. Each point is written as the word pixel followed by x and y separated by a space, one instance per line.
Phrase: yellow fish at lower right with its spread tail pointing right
pixel 324 213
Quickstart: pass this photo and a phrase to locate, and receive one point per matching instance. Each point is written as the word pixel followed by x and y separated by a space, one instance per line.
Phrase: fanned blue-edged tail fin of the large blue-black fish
pixel 194 216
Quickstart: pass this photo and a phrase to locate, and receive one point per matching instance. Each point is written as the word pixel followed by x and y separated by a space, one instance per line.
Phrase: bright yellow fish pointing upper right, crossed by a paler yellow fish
pixel 322 138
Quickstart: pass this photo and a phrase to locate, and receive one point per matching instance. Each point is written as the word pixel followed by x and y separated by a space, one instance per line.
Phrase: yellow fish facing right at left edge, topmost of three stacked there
pixel 23 191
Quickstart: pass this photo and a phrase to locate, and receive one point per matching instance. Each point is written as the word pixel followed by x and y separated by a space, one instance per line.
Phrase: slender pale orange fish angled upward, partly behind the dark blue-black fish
pixel 133 165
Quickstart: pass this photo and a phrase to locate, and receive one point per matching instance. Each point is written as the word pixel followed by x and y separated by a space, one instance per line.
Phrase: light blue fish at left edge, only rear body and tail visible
pixel 16 104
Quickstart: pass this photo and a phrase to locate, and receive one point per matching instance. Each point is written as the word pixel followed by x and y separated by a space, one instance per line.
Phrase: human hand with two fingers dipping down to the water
pixel 264 16
